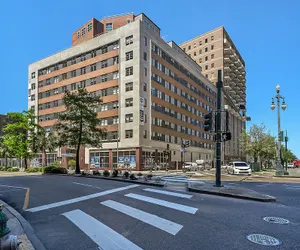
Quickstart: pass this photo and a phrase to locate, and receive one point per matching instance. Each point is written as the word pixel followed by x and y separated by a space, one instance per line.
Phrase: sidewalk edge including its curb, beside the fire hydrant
pixel 21 228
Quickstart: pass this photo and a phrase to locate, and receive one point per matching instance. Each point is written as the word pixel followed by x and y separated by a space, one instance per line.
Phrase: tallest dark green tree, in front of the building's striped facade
pixel 78 125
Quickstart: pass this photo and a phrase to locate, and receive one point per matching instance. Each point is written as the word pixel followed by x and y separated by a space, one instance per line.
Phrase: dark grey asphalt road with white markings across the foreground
pixel 81 213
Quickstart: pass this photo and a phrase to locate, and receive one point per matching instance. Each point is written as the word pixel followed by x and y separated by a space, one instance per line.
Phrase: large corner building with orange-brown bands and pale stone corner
pixel 154 95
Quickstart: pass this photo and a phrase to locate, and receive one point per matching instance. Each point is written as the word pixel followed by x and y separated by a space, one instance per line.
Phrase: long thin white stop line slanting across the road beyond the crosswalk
pixel 78 199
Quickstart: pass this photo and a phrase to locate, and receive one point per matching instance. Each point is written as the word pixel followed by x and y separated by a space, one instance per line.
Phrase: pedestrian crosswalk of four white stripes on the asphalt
pixel 106 238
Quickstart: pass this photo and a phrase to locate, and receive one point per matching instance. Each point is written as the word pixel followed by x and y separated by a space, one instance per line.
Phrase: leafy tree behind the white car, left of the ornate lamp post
pixel 258 143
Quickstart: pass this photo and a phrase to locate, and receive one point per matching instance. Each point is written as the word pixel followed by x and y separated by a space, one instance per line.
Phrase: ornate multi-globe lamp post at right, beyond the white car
pixel 280 169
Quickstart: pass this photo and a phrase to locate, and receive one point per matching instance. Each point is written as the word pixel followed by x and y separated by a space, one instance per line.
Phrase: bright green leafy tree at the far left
pixel 20 138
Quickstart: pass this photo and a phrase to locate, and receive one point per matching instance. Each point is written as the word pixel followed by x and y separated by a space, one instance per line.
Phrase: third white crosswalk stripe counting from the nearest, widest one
pixel 176 206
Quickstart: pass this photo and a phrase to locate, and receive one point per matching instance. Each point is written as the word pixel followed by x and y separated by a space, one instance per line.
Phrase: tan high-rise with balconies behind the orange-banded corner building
pixel 215 50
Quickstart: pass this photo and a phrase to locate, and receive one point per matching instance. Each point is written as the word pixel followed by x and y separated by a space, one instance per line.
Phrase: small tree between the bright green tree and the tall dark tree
pixel 45 142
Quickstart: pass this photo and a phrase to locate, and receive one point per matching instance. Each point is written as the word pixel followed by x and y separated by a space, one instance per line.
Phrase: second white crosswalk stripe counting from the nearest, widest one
pixel 153 220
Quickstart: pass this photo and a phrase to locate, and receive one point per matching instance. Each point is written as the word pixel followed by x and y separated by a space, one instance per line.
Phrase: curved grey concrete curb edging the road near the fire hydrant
pixel 28 230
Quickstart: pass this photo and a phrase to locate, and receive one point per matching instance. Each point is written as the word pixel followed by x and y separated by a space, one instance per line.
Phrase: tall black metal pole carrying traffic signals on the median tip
pixel 218 129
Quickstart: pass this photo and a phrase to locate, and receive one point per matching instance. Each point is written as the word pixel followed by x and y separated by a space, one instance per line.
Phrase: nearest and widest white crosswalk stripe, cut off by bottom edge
pixel 102 235
